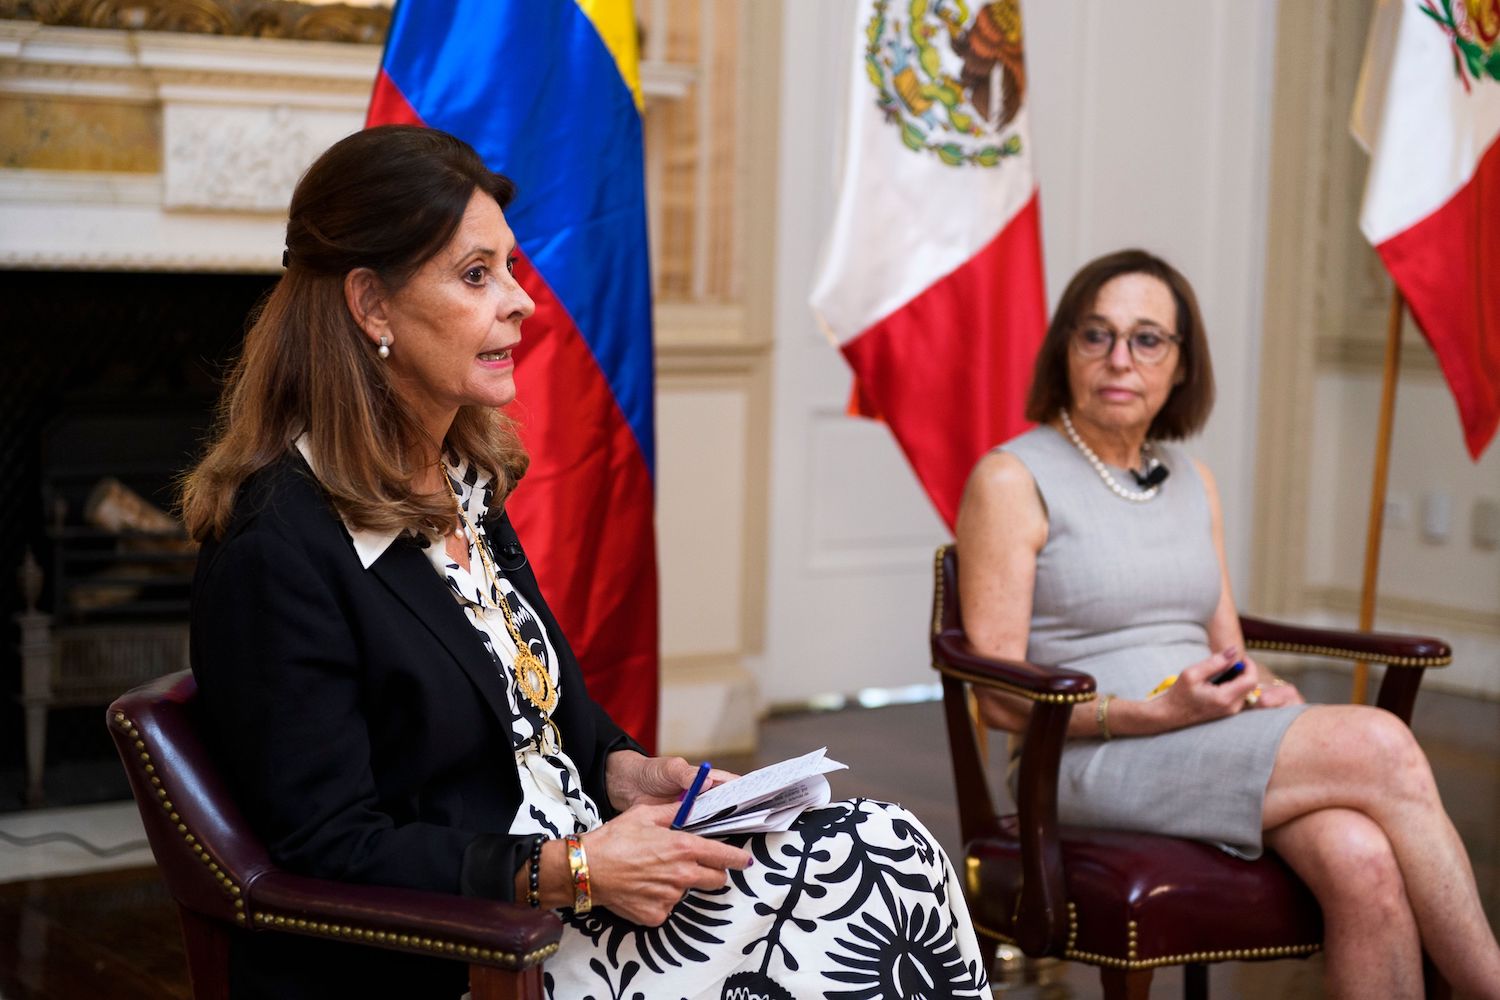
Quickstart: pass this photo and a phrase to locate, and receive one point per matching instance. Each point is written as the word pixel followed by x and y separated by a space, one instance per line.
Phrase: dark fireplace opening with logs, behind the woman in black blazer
pixel 106 398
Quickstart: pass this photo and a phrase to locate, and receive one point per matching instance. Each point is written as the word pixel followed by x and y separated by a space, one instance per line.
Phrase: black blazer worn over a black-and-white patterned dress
pixel 362 723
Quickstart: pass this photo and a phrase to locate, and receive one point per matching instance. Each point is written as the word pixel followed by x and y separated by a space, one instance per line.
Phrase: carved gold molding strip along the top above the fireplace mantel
pixel 253 19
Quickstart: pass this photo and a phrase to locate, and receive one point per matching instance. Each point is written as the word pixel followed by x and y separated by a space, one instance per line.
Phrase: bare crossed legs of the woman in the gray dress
pixel 1354 809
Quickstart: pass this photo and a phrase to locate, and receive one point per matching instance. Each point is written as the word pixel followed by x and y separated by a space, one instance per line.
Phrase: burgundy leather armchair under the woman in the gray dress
pixel 1127 903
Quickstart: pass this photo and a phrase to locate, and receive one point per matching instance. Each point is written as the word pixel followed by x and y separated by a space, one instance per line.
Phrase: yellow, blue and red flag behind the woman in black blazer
pixel 550 95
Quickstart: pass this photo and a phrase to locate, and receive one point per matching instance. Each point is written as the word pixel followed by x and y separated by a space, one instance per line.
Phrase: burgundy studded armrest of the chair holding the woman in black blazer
pixel 479 932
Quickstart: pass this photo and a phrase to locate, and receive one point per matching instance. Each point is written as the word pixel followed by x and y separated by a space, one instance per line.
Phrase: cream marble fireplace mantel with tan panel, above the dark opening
pixel 233 122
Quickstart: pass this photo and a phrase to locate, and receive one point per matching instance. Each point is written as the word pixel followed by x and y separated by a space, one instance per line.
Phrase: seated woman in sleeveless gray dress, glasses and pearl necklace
pixel 1079 551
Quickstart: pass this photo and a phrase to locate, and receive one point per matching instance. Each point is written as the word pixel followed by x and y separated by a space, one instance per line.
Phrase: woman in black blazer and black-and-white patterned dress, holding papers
pixel 388 690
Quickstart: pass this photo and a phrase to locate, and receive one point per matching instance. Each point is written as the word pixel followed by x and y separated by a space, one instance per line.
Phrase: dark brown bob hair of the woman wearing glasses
pixel 1192 400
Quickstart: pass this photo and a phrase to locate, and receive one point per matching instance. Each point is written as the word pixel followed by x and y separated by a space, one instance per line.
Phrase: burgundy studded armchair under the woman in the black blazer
pixel 221 876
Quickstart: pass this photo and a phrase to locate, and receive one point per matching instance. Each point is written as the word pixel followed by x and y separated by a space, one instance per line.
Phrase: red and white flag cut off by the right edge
pixel 1429 113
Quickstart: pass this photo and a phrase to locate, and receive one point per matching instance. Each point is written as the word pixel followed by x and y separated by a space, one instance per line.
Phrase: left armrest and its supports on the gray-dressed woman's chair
pixel 1042 909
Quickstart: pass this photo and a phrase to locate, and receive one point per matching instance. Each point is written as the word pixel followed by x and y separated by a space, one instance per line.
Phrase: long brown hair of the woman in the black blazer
pixel 386 199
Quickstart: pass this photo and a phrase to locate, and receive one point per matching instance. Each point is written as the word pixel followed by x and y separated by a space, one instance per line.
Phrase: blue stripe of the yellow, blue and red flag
pixel 535 91
